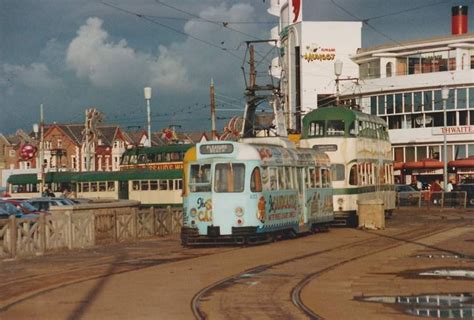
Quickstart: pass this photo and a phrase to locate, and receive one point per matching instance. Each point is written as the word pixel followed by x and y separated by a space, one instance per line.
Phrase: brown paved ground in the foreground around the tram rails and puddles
pixel 158 279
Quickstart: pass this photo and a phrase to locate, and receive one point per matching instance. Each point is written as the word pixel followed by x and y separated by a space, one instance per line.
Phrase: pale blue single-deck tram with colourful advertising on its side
pixel 249 193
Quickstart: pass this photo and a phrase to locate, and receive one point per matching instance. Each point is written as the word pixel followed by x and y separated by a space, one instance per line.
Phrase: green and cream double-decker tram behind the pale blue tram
pixel 359 148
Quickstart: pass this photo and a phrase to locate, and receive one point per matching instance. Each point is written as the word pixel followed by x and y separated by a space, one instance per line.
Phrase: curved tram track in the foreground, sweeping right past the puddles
pixel 383 243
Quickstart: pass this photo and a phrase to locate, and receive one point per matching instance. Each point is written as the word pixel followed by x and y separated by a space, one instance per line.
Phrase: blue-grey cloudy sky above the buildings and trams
pixel 70 55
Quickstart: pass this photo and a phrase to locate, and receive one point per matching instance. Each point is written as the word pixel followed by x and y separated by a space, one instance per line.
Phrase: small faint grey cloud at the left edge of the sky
pixel 35 76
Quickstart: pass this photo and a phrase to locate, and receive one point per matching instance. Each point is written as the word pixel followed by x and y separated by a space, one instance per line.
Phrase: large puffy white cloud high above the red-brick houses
pixel 93 56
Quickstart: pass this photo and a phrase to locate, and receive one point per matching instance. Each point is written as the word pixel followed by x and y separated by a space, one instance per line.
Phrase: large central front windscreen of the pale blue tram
pixel 229 177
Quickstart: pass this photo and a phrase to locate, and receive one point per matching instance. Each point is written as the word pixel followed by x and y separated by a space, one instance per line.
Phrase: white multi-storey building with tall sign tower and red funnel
pixel 401 83
